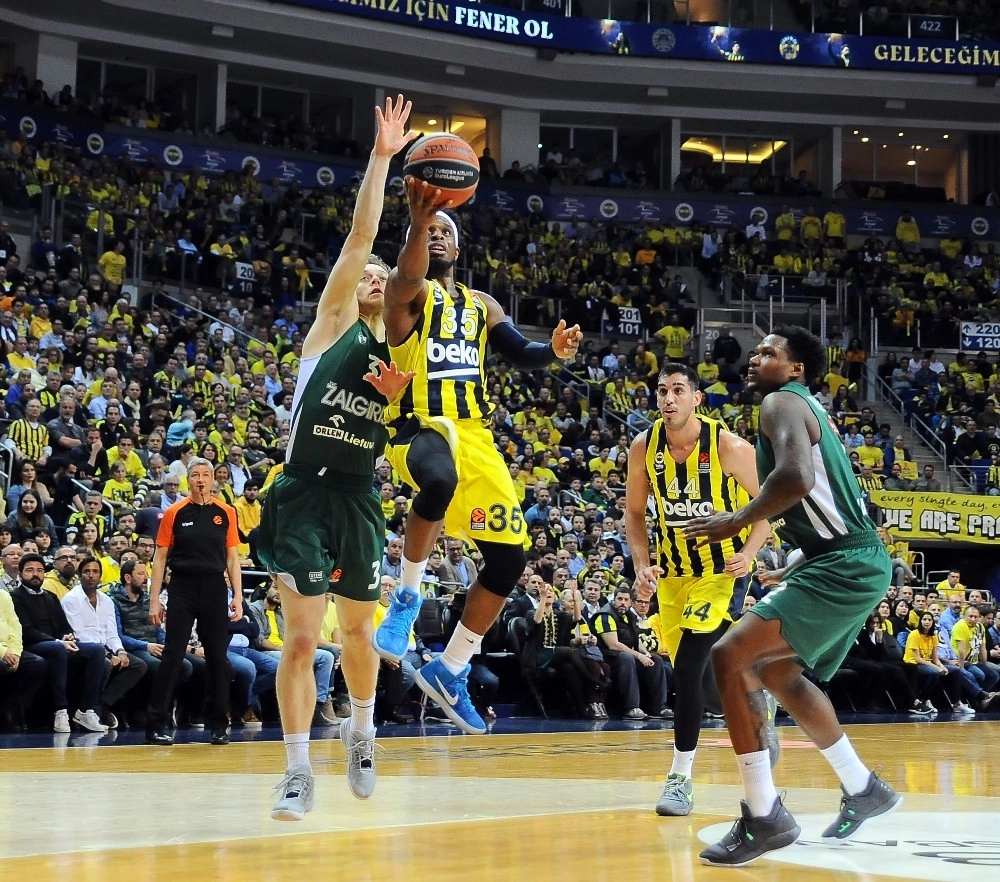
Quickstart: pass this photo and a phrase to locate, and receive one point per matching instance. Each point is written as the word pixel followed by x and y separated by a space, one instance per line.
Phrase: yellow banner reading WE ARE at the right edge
pixel 939 515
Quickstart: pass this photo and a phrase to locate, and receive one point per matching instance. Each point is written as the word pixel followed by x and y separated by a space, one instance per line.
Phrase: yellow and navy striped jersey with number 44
pixel 689 489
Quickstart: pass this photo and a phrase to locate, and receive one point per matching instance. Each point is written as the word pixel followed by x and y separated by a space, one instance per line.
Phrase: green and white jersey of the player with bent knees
pixel 833 511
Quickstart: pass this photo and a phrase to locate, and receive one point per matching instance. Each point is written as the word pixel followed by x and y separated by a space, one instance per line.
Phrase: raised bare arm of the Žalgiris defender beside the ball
pixel 391 138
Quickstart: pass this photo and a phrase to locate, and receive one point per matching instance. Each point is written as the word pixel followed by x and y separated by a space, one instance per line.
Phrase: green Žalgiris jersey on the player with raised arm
pixel 337 424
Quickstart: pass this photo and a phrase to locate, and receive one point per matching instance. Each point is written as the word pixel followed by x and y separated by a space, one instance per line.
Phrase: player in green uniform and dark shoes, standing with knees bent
pixel 809 620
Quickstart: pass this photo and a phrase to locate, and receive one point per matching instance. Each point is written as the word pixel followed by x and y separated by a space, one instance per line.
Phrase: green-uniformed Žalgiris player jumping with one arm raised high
pixel 322 526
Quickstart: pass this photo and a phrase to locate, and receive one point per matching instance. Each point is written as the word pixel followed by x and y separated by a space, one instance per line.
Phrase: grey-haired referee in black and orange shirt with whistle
pixel 198 540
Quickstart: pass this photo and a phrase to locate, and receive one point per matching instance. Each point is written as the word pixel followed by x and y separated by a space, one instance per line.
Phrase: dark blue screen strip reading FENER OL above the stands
pixel 689 42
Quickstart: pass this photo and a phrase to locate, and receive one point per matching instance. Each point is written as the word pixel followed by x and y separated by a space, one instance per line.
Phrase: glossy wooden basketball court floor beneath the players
pixel 561 802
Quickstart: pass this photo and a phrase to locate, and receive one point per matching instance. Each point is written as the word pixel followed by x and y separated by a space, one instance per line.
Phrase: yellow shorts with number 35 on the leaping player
pixel 485 505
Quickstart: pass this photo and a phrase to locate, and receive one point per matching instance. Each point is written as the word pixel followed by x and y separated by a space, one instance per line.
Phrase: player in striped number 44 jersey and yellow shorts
pixel 688 464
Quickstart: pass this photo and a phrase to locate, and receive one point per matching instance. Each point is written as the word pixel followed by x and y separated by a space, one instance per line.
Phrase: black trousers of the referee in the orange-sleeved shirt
pixel 203 597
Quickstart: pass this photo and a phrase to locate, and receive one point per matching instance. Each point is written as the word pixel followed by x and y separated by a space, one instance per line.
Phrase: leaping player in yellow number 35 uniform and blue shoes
pixel 440 442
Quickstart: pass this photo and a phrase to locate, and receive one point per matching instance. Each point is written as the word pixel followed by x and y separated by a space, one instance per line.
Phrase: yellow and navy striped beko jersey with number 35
pixel 447 349
